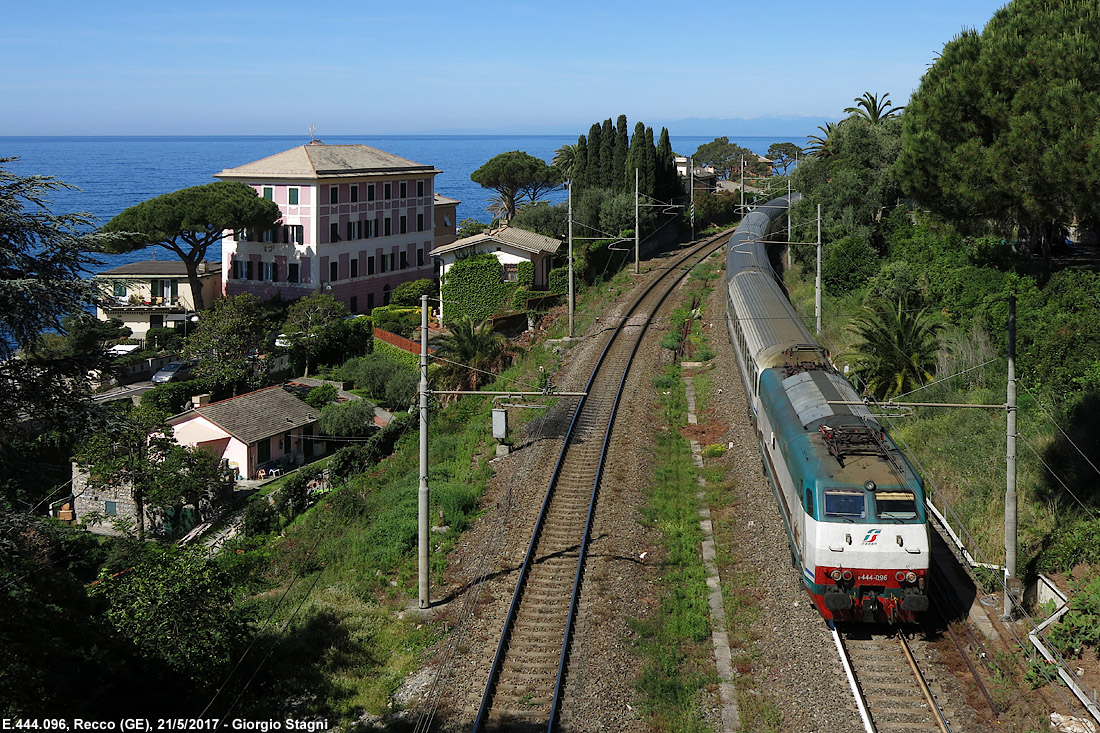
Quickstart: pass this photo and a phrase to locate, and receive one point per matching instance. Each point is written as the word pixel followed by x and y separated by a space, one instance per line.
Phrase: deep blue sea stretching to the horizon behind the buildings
pixel 113 173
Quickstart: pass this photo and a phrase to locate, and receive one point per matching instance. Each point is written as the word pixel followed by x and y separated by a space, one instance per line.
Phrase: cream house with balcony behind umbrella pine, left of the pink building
pixel 156 294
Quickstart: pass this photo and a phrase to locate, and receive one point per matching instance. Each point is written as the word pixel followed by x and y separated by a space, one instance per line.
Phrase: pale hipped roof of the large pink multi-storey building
pixel 320 161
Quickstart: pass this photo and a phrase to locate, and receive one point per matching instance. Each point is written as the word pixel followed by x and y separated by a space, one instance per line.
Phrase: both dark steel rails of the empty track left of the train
pixel 496 669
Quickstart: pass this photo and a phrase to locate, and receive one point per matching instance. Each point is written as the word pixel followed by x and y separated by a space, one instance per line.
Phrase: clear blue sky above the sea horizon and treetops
pixel 366 68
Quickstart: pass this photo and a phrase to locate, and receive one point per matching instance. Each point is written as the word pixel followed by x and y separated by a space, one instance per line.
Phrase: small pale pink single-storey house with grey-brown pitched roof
pixel 254 432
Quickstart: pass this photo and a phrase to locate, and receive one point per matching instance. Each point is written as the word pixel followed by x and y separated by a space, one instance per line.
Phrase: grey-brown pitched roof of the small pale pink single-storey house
pixel 257 415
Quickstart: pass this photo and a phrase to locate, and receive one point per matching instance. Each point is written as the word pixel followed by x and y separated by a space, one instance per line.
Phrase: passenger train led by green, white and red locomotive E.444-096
pixel 853 505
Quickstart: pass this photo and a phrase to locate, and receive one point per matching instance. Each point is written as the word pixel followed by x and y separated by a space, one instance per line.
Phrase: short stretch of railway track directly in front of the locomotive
pixel 892 691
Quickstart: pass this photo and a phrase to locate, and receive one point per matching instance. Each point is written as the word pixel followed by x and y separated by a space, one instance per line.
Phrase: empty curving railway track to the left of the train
pixel 526 680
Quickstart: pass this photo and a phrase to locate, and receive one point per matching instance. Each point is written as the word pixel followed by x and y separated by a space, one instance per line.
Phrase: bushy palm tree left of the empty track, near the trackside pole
pixel 471 355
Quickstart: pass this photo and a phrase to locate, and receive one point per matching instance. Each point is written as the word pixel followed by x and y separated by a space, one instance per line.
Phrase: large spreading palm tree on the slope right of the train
pixel 898 348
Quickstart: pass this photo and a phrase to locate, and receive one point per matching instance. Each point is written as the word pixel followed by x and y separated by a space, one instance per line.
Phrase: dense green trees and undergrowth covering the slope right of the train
pixel 928 231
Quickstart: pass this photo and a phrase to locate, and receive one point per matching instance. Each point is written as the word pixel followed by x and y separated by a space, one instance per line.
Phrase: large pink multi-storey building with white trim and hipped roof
pixel 357 223
